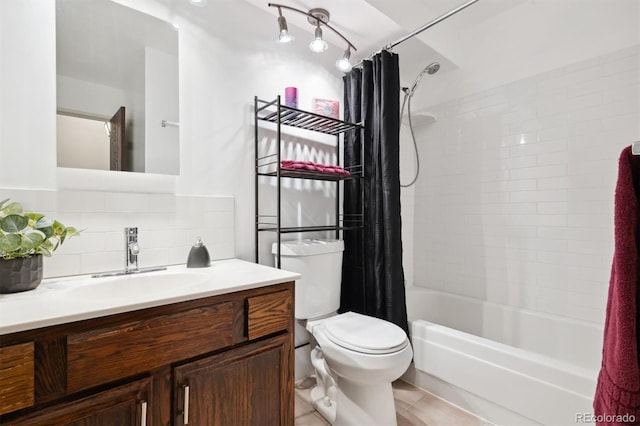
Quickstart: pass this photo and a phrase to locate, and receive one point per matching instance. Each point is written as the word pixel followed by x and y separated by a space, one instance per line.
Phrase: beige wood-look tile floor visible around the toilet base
pixel 414 406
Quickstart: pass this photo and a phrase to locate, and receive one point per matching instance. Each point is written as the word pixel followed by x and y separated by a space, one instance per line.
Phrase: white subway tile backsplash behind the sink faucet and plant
pixel 168 225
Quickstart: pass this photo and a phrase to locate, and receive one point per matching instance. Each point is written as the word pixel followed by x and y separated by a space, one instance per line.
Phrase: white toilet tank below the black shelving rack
pixel 319 262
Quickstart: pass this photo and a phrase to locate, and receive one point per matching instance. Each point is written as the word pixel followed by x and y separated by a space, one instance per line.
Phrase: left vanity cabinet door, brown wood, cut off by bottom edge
pixel 123 405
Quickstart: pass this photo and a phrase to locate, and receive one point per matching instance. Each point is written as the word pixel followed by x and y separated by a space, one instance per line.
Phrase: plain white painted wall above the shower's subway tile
pixel 532 37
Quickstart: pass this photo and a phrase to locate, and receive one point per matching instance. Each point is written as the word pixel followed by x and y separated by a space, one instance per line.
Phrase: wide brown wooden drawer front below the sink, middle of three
pixel 103 355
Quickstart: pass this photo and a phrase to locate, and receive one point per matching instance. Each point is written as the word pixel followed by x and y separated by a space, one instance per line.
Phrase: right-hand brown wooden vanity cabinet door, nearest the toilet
pixel 250 385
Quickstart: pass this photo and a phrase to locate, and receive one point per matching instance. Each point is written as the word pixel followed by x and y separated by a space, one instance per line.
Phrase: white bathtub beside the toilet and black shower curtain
pixel 506 365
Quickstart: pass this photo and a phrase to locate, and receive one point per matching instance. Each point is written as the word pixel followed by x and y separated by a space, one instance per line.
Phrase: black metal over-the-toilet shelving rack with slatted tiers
pixel 270 165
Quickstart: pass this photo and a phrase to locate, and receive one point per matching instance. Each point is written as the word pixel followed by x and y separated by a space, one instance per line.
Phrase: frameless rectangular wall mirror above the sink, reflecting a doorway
pixel 117 88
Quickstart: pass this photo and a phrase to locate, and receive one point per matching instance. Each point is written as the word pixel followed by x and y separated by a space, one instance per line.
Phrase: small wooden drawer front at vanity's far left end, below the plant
pixel 16 377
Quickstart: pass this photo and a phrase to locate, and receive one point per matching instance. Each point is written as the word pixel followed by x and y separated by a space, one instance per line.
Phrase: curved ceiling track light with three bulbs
pixel 317 17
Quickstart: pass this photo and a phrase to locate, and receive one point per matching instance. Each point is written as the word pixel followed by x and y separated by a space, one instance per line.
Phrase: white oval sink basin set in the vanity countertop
pixel 136 285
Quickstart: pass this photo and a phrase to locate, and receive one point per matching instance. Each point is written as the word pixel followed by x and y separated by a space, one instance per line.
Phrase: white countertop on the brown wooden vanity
pixel 63 300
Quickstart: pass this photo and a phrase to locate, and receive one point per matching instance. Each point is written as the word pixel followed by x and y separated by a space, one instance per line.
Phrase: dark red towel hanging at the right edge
pixel 617 398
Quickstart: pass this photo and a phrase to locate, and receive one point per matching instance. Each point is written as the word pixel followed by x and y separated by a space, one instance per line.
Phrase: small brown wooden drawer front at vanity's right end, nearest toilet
pixel 269 313
